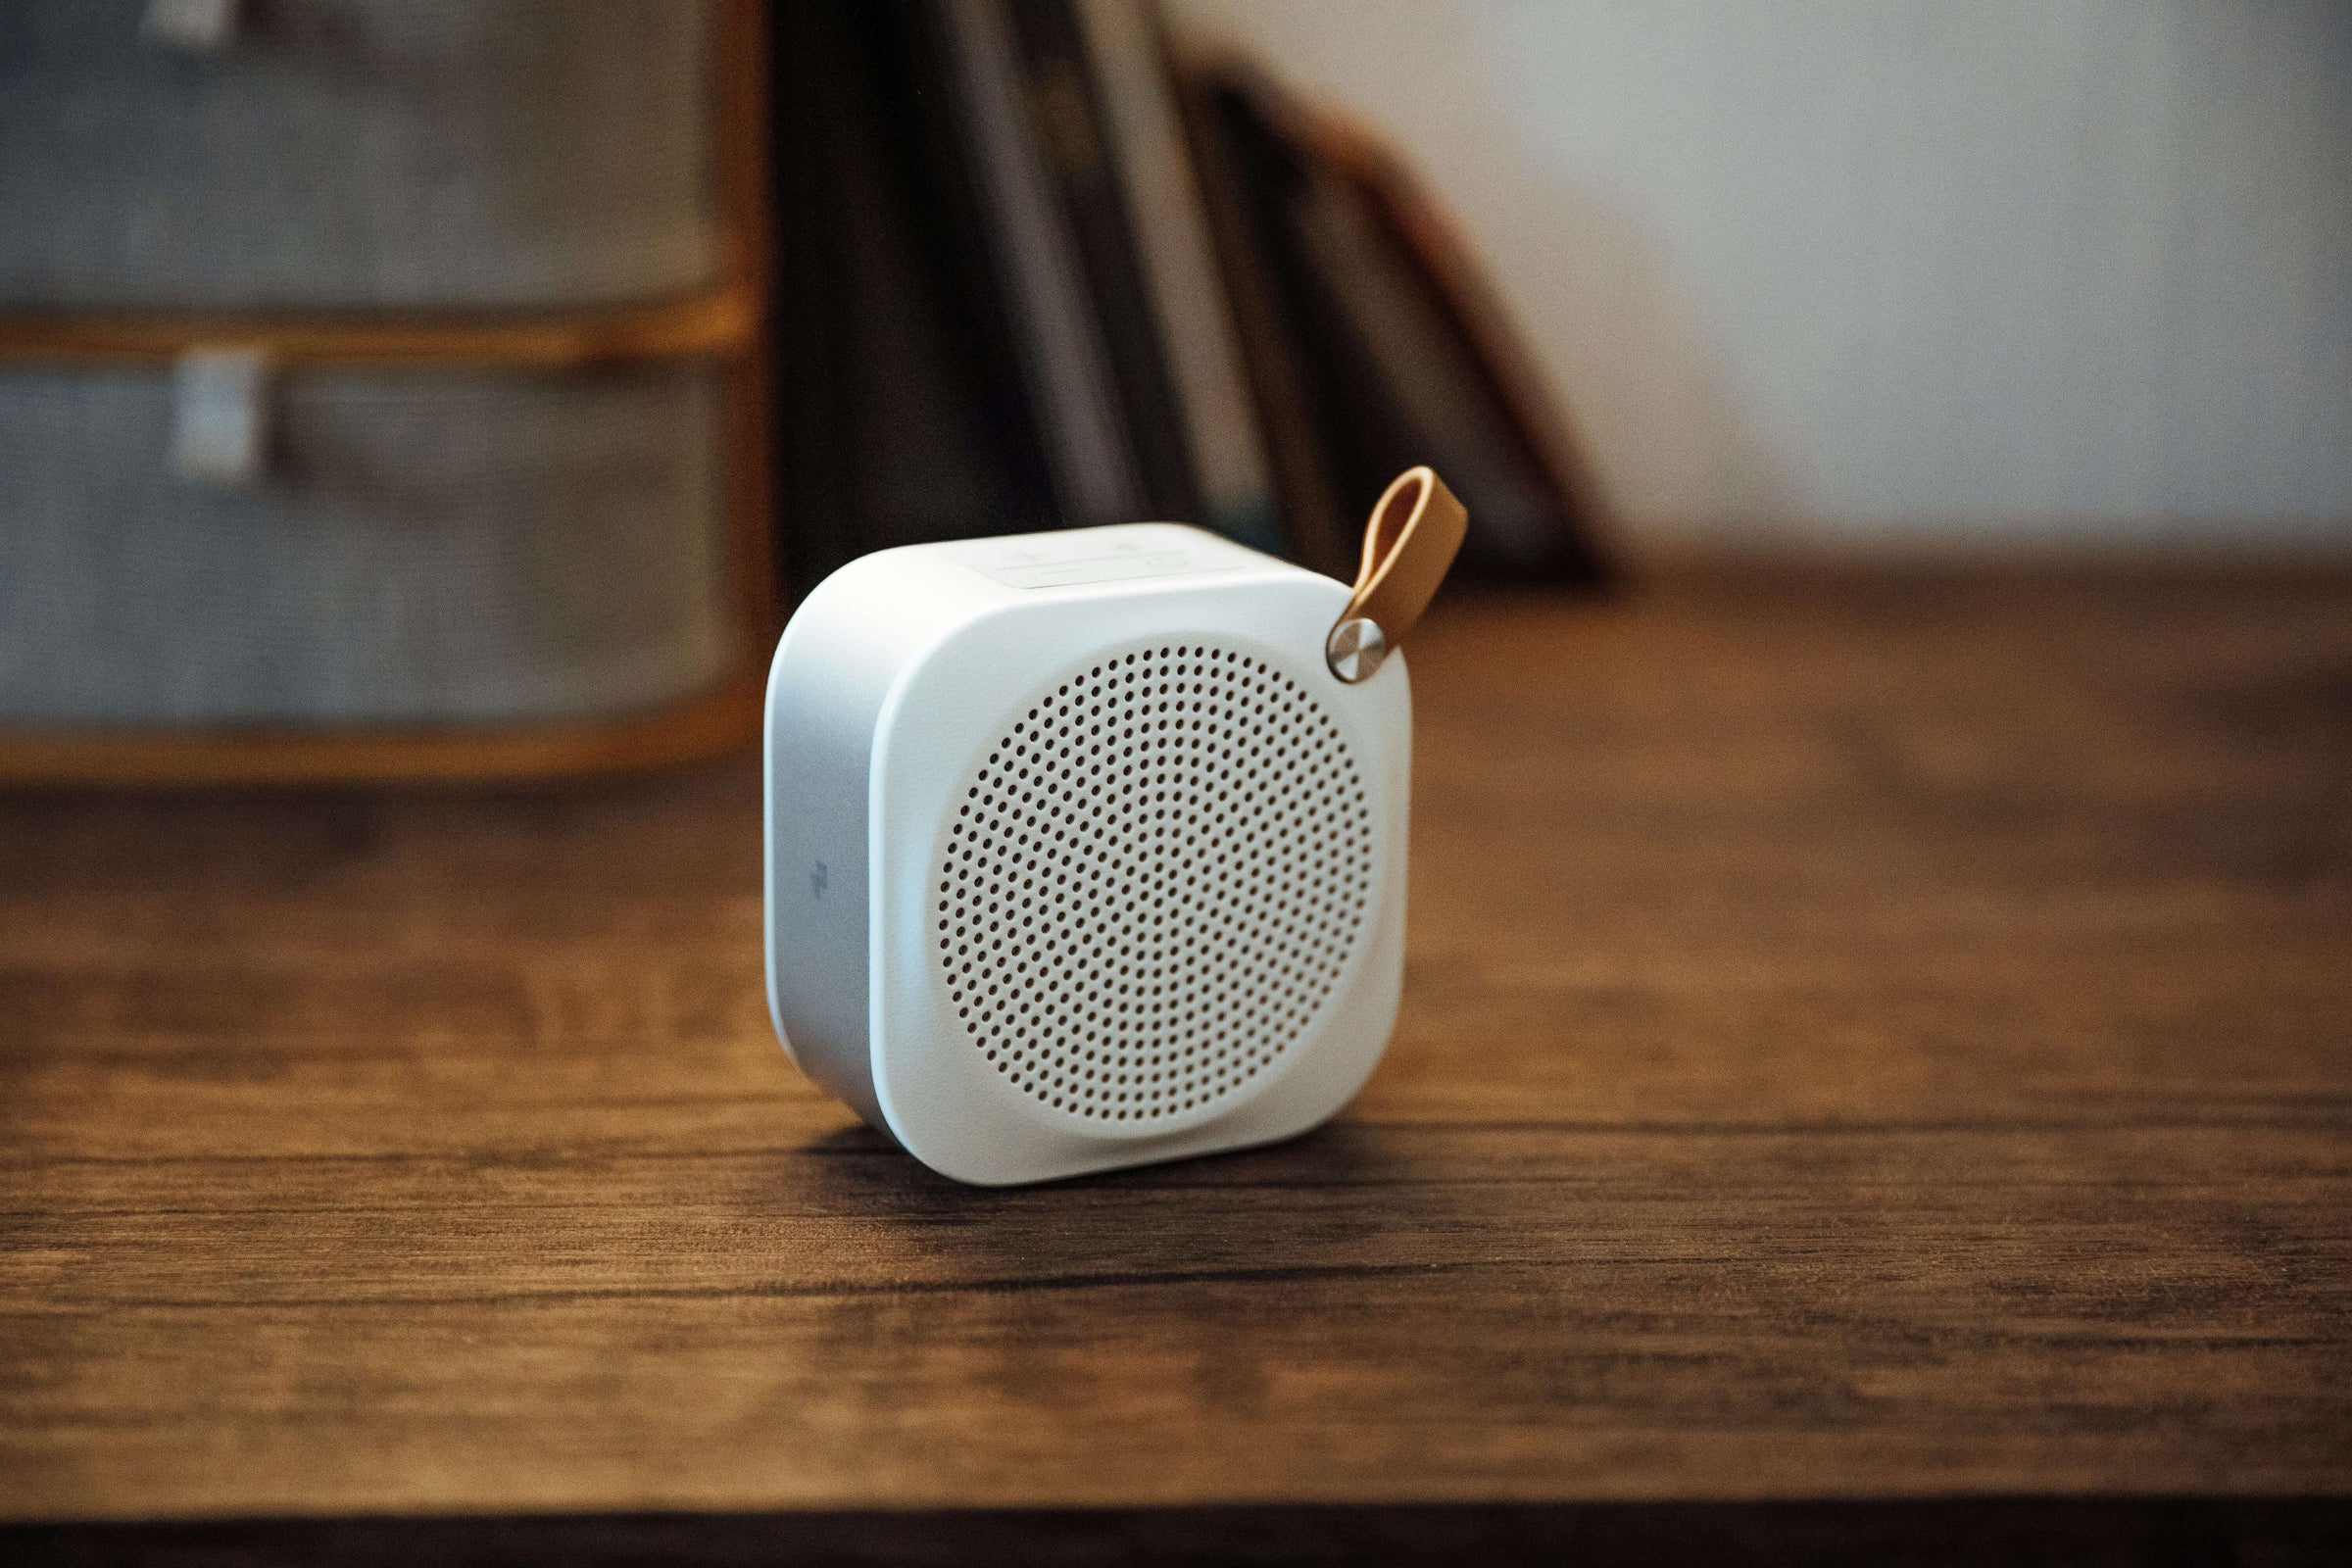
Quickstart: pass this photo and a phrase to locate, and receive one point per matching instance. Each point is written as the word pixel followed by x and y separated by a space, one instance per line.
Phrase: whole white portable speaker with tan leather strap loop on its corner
pixel 1088 850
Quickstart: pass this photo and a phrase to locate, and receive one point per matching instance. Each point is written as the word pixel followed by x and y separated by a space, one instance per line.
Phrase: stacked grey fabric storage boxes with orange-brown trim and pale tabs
pixel 380 387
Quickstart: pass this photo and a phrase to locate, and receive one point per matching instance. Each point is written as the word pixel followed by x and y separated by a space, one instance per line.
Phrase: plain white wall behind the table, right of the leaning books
pixel 1904 269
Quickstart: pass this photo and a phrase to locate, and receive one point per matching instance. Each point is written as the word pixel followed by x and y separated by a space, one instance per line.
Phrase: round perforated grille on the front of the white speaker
pixel 1154 883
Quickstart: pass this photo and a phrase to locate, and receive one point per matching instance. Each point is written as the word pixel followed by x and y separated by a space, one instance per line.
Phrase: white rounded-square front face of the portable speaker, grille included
pixel 1140 878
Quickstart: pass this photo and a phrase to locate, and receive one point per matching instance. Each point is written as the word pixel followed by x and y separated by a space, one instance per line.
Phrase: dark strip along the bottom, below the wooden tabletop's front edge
pixel 2139 1532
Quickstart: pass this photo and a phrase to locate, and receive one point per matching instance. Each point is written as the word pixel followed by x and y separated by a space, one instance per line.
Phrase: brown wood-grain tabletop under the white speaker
pixel 1869 1045
